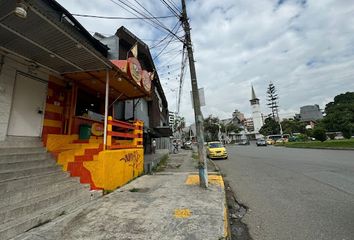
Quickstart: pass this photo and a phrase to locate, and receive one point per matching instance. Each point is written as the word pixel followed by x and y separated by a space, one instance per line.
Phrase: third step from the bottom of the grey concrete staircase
pixel 13 197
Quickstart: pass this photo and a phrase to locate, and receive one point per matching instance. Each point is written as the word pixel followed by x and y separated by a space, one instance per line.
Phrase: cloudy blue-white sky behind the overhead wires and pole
pixel 305 48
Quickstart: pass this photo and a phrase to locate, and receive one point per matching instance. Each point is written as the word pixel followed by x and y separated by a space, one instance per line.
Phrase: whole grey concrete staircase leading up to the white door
pixel 33 188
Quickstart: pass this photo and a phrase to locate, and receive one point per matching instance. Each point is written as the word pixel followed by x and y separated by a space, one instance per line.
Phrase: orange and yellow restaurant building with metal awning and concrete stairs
pixel 60 93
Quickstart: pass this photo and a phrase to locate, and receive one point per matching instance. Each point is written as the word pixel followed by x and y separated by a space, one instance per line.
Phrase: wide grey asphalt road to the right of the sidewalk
pixel 293 193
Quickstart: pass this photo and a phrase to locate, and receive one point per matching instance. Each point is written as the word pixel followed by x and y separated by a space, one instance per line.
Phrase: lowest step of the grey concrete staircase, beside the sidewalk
pixel 20 225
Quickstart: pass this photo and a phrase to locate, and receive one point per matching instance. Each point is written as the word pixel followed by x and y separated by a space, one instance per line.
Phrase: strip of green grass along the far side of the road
pixel 338 144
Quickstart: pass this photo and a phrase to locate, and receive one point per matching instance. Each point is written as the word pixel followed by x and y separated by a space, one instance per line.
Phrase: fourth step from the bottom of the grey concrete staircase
pixel 24 183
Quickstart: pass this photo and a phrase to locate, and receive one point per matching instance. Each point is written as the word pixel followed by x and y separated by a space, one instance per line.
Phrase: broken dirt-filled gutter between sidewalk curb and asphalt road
pixel 238 229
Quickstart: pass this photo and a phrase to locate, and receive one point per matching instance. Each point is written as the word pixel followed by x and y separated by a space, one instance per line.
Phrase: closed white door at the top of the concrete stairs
pixel 27 107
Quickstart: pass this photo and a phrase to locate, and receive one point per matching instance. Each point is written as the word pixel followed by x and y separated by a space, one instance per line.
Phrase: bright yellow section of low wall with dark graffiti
pixel 114 168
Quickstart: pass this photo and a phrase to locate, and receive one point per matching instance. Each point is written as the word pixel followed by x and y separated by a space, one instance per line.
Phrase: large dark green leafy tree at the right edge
pixel 340 115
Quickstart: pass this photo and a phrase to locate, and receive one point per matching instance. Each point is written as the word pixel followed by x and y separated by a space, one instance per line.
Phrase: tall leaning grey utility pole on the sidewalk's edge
pixel 203 172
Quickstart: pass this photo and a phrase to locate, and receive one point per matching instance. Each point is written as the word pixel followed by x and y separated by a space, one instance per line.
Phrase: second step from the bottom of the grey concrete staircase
pixel 29 206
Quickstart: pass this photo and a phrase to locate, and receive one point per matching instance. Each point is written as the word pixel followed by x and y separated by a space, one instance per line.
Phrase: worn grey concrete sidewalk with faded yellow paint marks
pixel 167 205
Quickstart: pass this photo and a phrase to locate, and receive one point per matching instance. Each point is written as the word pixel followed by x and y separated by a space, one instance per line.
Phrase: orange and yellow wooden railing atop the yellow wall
pixel 122 135
